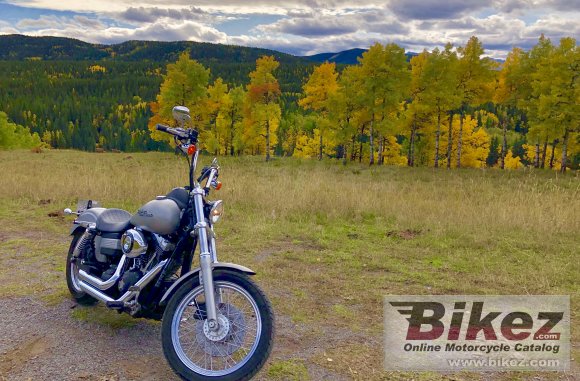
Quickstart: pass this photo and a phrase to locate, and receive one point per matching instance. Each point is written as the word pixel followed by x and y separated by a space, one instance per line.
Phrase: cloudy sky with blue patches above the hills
pixel 300 27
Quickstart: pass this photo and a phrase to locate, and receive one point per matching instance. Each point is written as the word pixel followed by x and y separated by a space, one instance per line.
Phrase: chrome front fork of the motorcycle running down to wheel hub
pixel 207 257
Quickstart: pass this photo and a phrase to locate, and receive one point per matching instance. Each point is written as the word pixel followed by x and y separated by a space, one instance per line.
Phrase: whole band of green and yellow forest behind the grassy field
pixel 452 107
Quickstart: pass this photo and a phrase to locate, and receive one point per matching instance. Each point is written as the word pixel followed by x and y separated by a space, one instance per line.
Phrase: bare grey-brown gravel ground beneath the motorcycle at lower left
pixel 44 343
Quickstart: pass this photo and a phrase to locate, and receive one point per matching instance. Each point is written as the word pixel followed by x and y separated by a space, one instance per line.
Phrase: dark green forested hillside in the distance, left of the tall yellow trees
pixel 84 96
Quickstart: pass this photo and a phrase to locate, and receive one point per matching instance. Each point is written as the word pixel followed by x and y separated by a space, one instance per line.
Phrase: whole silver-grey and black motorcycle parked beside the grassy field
pixel 217 324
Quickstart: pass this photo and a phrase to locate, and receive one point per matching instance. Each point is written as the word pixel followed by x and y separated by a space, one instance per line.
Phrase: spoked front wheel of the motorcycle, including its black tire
pixel 240 346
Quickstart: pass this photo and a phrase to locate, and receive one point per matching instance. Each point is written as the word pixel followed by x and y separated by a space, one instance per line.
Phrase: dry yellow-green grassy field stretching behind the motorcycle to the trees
pixel 328 241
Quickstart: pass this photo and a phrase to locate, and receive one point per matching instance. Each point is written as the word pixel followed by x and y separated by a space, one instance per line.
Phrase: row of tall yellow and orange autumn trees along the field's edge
pixel 451 108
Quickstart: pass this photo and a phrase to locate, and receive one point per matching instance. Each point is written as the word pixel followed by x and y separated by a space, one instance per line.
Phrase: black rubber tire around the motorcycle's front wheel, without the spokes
pixel 257 358
